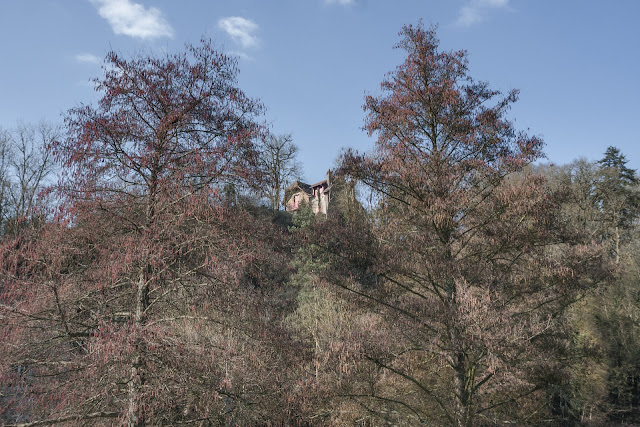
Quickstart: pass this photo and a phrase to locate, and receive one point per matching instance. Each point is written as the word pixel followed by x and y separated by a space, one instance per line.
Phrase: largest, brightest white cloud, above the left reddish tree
pixel 133 19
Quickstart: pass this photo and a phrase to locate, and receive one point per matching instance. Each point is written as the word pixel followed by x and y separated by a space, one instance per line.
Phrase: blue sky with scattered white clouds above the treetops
pixel 311 62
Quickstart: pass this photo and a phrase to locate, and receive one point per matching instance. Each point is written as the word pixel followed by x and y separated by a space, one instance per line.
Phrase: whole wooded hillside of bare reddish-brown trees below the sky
pixel 154 280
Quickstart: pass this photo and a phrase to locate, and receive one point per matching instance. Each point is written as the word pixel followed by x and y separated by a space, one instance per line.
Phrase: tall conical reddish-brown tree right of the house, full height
pixel 474 268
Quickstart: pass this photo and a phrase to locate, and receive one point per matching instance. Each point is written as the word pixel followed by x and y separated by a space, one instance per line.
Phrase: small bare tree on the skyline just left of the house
pixel 279 161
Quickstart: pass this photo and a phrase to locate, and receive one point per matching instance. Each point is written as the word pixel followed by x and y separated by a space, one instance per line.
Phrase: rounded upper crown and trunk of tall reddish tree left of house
pixel 166 131
